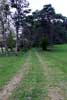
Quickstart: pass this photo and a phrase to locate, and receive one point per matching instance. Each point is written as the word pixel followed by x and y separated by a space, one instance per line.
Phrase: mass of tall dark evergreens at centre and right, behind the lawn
pixel 47 23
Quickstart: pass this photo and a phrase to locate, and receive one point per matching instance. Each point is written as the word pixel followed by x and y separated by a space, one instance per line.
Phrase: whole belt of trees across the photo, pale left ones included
pixel 21 29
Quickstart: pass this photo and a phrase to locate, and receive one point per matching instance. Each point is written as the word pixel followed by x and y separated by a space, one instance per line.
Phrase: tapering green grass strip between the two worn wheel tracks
pixel 33 85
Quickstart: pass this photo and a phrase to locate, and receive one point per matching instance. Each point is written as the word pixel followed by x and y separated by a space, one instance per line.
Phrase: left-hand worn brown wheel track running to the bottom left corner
pixel 14 82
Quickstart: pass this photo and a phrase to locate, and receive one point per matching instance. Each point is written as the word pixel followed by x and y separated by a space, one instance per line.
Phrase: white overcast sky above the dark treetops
pixel 59 5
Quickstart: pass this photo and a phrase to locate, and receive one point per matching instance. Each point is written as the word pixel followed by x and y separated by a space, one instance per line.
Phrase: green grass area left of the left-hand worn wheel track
pixel 9 66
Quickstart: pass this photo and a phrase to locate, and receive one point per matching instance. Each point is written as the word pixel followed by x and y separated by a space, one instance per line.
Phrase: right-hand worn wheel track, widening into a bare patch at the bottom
pixel 54 93
